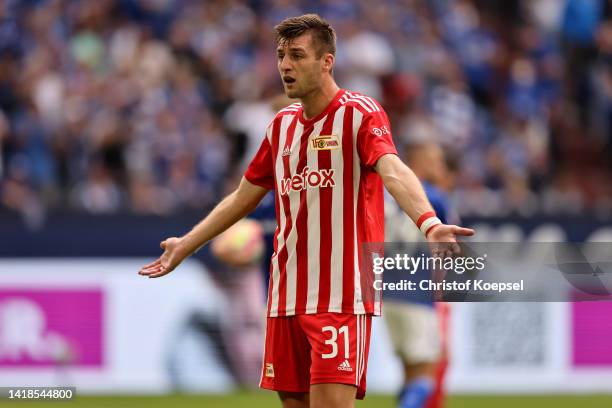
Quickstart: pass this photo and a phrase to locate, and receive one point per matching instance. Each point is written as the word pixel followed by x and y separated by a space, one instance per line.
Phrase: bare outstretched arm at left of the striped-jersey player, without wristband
pixel 231 209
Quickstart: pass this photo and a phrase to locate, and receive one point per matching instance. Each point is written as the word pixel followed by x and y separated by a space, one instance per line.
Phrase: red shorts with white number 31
pixel 314 349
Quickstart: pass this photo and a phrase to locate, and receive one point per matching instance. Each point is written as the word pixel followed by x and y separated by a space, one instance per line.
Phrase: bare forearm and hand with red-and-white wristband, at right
pixel 407 190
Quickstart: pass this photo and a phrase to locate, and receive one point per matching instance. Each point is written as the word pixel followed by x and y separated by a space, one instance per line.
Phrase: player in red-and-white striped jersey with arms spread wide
pixel 326 158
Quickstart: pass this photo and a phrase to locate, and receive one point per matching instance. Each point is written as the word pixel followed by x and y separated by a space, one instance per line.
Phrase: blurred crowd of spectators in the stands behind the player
pixel 155 106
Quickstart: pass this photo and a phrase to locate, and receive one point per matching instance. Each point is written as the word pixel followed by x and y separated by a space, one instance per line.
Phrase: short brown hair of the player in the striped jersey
pixel 323 34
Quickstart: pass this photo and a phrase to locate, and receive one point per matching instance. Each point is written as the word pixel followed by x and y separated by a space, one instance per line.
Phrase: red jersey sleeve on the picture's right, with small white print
pixel 374 138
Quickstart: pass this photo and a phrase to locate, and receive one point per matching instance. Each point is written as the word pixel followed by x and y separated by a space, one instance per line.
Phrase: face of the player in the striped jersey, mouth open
pixel 300 67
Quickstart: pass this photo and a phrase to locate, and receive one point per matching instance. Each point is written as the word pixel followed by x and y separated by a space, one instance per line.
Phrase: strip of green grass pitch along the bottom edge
pixel 267 399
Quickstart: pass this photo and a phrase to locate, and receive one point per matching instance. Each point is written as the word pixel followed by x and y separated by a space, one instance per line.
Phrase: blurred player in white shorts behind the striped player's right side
pixel 417 325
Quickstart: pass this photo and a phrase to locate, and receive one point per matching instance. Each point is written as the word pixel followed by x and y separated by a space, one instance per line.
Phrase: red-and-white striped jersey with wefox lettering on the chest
pixel 329 201
